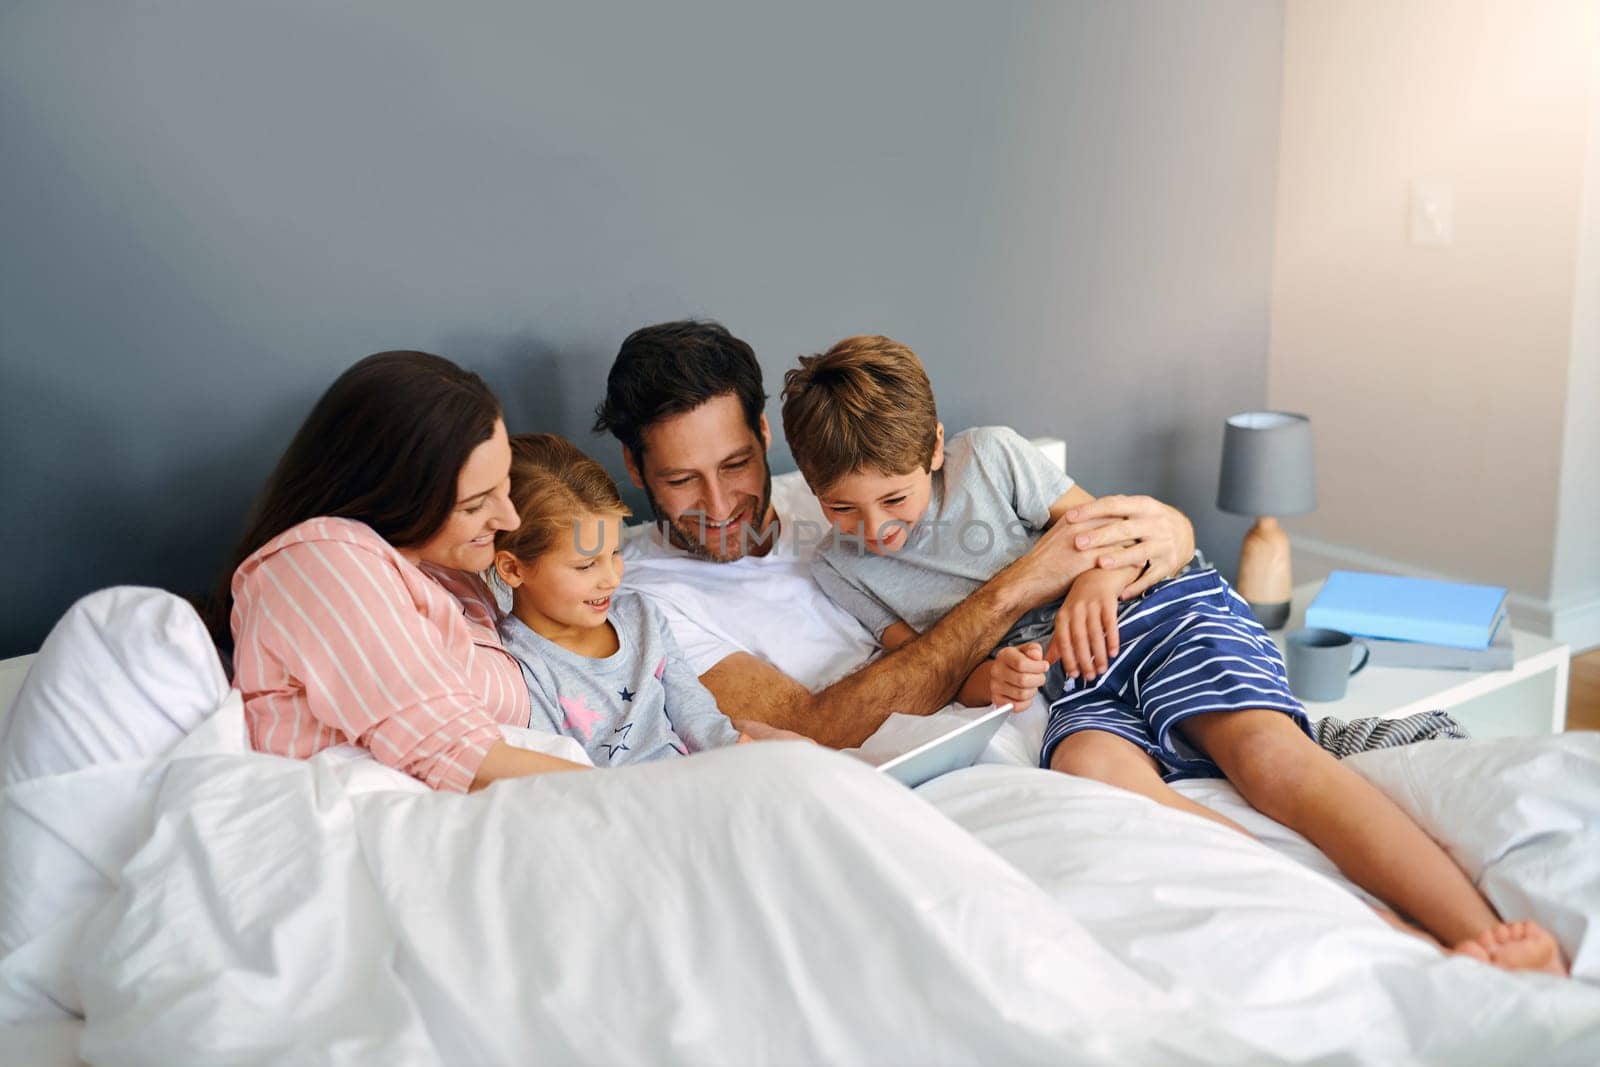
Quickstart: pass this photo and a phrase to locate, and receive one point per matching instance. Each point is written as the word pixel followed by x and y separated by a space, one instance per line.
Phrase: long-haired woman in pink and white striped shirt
pixel 354 599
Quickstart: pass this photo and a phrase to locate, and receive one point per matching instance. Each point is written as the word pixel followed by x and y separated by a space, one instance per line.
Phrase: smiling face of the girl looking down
pixel 569 589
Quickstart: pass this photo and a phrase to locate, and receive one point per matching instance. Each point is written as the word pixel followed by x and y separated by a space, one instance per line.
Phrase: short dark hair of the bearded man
pixel 671 369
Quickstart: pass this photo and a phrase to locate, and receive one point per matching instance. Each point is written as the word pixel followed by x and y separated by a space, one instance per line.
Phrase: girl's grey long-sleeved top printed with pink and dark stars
pixel 642 703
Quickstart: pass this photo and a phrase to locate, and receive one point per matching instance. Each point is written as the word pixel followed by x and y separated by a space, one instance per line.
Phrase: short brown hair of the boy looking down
pixel 863 406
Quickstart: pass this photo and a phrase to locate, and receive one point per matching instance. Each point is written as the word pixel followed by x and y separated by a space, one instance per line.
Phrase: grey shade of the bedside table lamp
pixel 1268 466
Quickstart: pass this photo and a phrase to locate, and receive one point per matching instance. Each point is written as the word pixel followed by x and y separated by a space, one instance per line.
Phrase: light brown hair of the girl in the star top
pixel 553 482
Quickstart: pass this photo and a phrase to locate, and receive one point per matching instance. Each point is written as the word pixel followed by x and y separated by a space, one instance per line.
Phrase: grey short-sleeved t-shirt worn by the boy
pixel 990 505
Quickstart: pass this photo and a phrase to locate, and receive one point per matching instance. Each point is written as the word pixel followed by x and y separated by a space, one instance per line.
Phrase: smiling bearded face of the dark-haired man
pixel 706 476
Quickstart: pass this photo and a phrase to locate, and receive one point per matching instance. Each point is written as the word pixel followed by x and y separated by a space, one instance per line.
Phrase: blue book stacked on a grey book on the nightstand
pixel 1417 621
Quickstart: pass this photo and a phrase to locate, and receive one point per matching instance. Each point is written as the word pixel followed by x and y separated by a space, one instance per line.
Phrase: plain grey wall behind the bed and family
pixel 207 212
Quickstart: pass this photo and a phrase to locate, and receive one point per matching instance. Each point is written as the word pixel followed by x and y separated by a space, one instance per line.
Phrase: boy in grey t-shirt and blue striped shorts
pixel 1180 682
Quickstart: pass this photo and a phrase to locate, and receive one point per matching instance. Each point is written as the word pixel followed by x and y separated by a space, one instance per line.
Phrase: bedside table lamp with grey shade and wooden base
pixel 1268 473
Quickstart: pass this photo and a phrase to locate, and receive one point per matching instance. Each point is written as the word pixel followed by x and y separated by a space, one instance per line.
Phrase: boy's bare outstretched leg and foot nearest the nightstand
pixel 1289 778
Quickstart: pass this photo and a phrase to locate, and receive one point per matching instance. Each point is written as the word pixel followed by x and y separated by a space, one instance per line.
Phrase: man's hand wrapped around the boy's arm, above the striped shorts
pixel 1145 535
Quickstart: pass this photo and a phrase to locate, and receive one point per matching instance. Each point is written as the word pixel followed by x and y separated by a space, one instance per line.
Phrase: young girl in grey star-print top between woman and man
pixel 601 665
